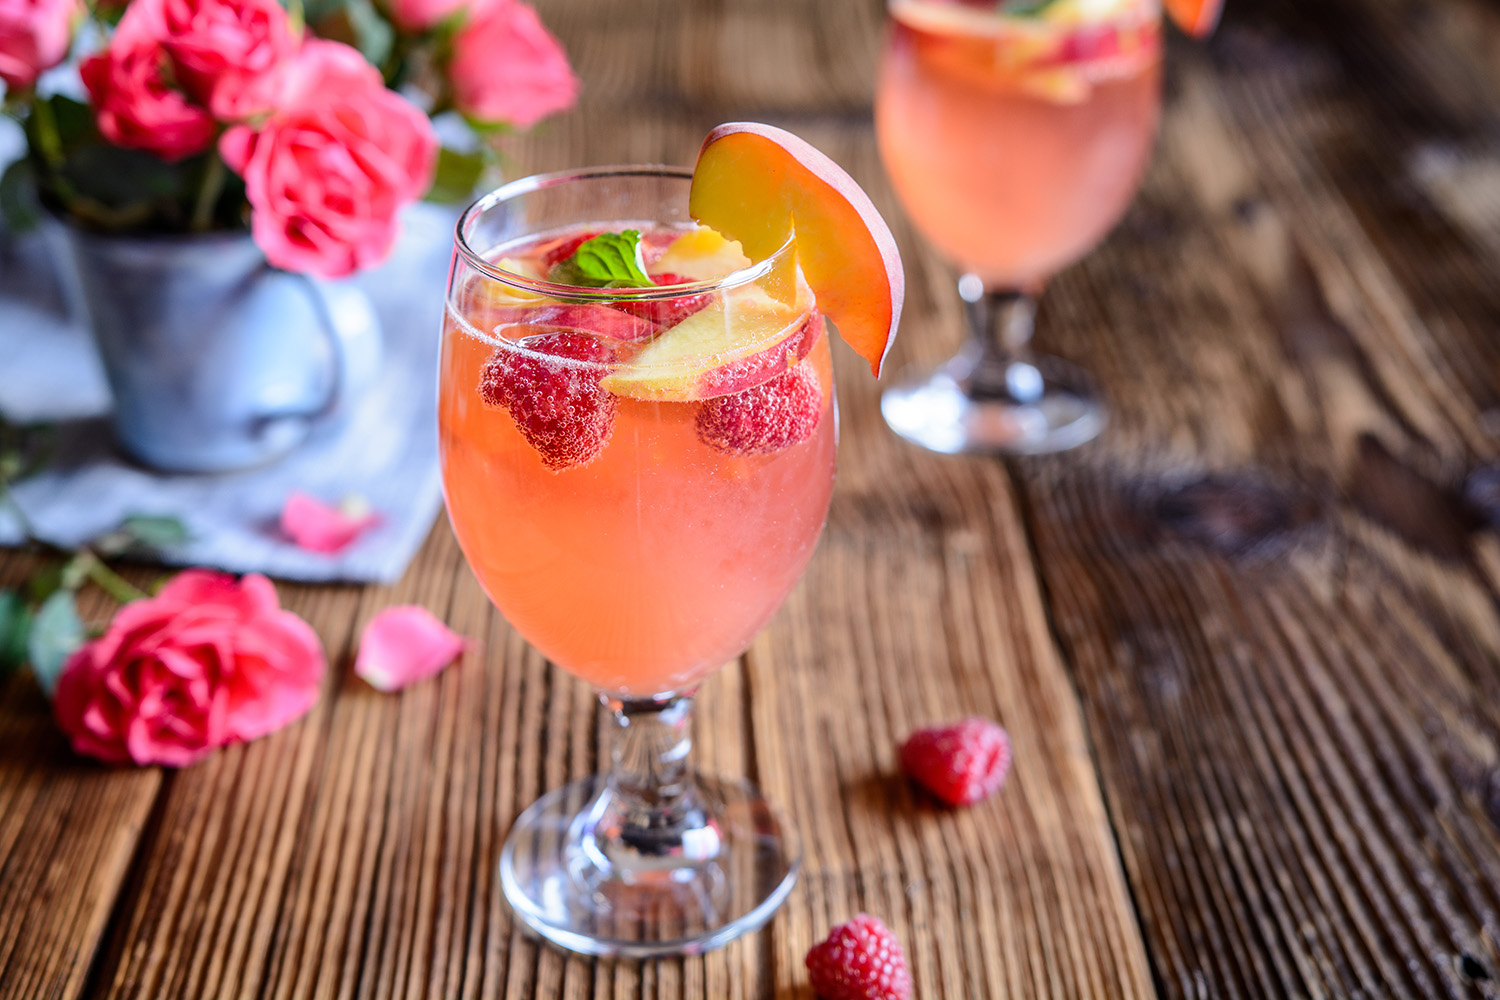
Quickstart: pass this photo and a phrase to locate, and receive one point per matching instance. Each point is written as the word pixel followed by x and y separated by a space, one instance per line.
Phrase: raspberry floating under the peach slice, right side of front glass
pixel 764 419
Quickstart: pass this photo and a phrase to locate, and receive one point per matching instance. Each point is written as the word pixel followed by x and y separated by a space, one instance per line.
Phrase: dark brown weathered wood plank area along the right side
pixel 1265 578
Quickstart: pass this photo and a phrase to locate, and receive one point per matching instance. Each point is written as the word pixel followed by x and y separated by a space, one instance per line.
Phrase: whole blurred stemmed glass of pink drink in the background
pixel 1016 136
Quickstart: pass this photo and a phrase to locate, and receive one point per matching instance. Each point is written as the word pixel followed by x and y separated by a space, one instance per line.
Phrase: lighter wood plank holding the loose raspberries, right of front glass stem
pixel 922 608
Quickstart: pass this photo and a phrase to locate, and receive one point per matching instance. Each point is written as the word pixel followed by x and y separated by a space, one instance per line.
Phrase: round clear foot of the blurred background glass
pixel 982 406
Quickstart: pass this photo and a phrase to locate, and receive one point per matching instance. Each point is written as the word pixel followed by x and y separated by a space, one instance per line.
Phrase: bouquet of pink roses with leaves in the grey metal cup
pixel 311 127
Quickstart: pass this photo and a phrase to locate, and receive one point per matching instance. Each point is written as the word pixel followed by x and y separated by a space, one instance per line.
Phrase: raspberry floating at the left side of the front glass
pixel 557 404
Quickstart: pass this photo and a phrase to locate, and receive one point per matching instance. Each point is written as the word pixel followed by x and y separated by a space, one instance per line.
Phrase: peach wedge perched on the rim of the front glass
pixel 758 185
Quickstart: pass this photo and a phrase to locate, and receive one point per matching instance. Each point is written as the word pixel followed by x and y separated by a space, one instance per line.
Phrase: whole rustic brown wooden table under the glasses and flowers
pixel 1247 645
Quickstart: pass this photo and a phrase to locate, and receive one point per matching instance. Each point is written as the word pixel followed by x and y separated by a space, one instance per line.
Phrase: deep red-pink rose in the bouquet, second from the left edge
pixel 134 107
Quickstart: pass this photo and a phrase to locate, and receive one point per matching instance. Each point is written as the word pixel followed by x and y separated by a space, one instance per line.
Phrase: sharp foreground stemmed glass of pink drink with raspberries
pixel 638 510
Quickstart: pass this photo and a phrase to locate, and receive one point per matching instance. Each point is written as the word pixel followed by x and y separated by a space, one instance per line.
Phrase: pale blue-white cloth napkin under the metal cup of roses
pixel 383 448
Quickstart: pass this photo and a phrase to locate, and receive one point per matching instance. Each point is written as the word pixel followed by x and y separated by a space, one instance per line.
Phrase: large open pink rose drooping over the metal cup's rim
pixel 334 164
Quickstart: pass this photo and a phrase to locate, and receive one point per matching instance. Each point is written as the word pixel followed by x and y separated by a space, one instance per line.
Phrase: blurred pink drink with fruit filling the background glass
pixel 1018 143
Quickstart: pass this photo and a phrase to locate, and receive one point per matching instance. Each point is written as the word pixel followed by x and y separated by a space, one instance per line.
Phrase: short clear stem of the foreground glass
pixel 650 815
